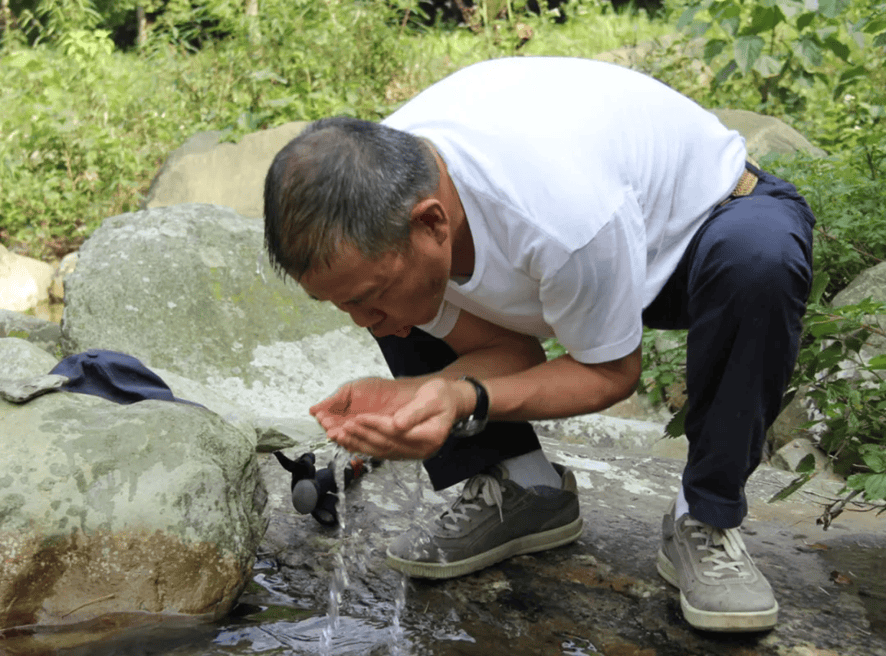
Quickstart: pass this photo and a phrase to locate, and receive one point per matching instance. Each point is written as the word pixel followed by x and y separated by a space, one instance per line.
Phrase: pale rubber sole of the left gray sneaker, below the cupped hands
pixel 533 542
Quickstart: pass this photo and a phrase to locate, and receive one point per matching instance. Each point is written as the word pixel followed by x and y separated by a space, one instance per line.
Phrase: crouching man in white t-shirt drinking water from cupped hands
pixel 526 198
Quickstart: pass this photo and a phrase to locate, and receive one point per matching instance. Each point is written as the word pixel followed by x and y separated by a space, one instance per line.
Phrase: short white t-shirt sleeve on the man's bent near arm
pixel 594 301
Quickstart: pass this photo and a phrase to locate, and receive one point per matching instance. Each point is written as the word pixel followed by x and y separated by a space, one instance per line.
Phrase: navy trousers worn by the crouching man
pixel 741 290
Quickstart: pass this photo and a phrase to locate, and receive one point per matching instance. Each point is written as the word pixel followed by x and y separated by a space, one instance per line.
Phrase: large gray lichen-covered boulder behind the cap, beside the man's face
pixel 186 289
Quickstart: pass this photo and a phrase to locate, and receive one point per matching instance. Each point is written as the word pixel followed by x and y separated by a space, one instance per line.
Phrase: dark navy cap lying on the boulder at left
pixel 114 376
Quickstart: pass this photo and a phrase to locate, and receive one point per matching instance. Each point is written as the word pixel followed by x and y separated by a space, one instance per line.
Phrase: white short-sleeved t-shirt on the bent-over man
pixel 582 183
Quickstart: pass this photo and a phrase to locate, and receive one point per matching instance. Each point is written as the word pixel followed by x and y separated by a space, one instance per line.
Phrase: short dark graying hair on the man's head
pixel 344 181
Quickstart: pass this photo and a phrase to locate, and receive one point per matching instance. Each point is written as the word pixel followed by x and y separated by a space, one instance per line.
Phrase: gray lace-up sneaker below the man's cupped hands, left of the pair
pixel 492 519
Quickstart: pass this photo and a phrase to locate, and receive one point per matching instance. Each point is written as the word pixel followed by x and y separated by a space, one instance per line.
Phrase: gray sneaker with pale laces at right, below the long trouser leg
pixel 720 587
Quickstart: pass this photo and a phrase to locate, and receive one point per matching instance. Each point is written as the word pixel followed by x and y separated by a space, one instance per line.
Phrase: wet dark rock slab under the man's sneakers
pixel 601 594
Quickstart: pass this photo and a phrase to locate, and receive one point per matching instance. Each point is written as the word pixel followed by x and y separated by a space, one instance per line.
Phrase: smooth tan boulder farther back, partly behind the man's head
pixel 206 169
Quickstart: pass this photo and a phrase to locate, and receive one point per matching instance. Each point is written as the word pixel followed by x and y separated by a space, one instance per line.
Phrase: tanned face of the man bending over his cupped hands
pixel 390 294
